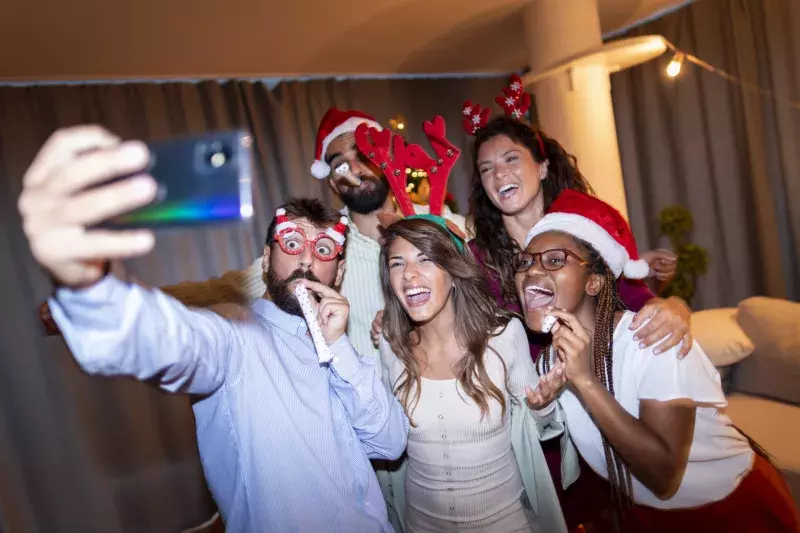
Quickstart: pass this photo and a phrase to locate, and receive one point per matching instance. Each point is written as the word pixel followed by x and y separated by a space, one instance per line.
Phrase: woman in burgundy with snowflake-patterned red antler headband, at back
pixel 518 171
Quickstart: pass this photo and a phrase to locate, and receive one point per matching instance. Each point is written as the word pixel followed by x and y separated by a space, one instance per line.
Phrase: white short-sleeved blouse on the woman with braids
pixel 720 456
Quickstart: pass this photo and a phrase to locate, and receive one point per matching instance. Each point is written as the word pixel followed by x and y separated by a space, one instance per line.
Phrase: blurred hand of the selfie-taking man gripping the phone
pixel 63 195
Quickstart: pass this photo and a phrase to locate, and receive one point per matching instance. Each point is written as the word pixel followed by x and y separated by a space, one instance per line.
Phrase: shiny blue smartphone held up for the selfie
pixel 202 180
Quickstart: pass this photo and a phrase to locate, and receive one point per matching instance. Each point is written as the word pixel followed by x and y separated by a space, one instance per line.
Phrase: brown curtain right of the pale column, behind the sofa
pixel 727 154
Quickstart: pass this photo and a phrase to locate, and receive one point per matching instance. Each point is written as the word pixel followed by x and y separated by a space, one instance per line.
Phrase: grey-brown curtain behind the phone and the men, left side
pixel 81 453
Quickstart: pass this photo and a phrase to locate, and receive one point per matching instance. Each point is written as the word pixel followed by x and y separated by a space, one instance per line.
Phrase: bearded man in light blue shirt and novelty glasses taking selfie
pixel 285 440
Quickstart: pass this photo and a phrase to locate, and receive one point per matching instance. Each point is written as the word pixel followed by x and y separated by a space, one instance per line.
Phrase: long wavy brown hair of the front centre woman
pixel 479 318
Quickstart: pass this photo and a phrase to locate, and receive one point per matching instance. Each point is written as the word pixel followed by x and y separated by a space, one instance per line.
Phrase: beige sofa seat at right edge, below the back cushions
pixel 775 426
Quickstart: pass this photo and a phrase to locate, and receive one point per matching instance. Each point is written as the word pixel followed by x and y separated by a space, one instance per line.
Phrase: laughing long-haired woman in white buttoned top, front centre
pixel 457 364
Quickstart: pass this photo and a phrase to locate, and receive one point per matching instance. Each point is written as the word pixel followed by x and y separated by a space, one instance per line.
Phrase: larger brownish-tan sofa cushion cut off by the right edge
pixel 774 368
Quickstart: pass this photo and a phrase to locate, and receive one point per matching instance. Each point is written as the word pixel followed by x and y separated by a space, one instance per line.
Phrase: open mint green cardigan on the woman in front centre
pixel 527 432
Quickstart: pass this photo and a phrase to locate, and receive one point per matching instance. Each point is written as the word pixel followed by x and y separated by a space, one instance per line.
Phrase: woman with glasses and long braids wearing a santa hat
pixel 653 426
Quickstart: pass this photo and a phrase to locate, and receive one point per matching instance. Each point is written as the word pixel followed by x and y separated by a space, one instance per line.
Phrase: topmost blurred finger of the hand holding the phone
pixel 62 146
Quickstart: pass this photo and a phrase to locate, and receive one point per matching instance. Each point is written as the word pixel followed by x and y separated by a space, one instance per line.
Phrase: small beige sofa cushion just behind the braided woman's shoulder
pixel 720 336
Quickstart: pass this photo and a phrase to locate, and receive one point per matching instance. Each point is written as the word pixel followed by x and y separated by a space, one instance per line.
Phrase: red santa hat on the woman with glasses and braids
pixel 597 223
